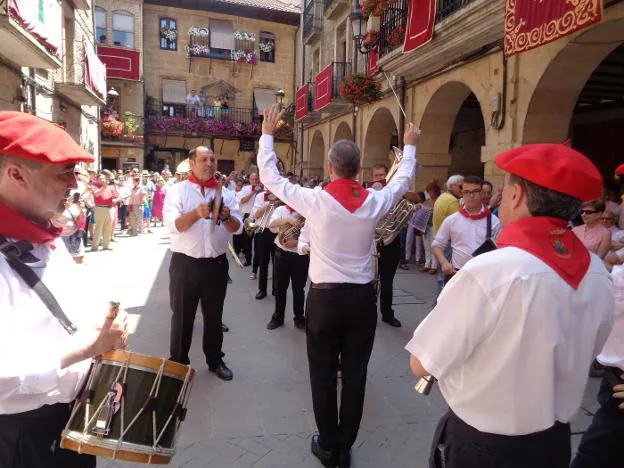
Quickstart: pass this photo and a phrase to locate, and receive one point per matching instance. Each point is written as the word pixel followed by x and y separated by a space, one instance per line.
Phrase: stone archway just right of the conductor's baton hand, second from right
pixel 453 132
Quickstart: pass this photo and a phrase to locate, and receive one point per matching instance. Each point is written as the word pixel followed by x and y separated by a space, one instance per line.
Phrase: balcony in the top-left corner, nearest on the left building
pixel 26 41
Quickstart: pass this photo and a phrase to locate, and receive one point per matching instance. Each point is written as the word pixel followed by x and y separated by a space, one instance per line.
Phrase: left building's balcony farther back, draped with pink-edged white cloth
pixel 83 78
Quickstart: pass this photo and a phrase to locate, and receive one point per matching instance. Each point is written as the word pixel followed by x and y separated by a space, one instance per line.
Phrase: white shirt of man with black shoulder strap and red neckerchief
pixel 465 236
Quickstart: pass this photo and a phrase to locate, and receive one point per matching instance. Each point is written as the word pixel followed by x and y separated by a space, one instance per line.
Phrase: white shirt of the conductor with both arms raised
pixel 343 241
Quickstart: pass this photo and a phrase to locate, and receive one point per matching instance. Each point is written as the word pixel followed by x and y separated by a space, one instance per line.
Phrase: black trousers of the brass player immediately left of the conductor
pixel 290 266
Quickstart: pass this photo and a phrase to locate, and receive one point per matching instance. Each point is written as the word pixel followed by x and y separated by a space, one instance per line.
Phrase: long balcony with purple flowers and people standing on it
pixel 209 121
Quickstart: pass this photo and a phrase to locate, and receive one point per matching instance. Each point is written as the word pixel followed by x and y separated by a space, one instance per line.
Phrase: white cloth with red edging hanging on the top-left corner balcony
pixel 43 19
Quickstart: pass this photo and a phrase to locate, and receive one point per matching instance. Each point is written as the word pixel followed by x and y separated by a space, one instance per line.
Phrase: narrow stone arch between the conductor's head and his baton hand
pixel 381 135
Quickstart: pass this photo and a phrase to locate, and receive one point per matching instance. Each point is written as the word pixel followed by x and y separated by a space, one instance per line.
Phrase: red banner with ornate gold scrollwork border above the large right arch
pixel 530 24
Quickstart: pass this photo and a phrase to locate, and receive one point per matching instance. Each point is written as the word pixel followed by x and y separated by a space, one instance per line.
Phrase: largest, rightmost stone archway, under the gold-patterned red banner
pixel 580 97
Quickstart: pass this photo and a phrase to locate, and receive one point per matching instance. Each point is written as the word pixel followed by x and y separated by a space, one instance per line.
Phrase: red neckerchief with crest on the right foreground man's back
pixel 549 240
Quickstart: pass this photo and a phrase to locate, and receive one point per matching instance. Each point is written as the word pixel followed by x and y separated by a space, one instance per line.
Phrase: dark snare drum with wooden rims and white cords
pixel 130 409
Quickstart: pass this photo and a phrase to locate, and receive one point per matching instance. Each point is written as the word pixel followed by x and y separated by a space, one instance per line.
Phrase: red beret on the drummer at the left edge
pixel 29 137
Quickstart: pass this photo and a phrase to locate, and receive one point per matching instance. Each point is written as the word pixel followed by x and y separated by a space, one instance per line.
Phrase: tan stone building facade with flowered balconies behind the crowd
pixel 235 53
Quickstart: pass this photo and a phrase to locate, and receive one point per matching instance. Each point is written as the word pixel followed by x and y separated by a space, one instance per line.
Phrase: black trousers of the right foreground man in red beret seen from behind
pixel 466 447
